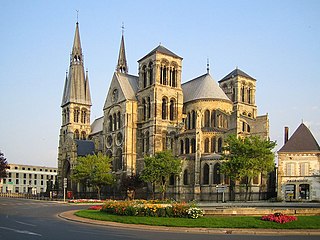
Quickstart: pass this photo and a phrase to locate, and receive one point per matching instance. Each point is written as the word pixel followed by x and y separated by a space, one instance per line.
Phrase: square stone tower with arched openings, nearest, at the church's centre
pixel 160 102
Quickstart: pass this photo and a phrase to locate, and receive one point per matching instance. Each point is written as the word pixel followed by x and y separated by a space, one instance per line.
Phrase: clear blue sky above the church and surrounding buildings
pixel 276 42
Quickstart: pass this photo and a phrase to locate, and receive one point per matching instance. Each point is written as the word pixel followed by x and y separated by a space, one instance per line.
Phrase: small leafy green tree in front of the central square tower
pixel 159 168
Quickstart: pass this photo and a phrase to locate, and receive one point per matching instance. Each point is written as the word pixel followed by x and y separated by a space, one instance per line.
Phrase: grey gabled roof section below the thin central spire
pixel 127 86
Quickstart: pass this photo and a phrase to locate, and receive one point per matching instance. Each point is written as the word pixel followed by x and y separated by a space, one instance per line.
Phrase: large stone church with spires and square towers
pixel 156 111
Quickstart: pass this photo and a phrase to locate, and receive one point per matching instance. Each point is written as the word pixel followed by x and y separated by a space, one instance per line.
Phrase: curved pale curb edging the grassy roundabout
pixel 69 215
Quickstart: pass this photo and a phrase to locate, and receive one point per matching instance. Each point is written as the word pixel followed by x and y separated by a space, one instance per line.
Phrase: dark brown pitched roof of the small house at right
pixel 301 140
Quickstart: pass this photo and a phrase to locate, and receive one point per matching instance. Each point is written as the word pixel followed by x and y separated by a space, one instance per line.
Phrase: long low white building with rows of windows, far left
pixel 27 179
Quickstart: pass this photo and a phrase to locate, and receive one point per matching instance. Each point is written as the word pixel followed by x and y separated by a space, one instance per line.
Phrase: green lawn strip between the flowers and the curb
pixel 303 222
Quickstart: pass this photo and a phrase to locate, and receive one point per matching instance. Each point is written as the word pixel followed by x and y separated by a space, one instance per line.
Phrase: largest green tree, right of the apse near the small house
pixel 246 158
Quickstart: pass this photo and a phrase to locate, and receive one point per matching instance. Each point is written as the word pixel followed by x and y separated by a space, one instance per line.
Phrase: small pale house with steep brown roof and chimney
pixel 299 167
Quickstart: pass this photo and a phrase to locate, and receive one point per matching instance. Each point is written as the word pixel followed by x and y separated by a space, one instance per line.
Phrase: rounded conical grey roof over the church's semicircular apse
pixel 203 87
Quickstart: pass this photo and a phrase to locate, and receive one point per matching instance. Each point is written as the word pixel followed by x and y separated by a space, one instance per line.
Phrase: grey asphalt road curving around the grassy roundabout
pixel 30 219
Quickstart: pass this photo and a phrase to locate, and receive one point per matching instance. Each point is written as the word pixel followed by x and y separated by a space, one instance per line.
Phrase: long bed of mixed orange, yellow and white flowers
pixel 151 209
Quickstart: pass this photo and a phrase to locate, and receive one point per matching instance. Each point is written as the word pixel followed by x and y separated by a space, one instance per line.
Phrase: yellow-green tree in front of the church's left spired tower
pixel 93 170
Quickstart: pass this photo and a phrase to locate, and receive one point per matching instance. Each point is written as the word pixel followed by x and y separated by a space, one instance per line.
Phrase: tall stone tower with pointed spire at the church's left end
pixel 76 106
